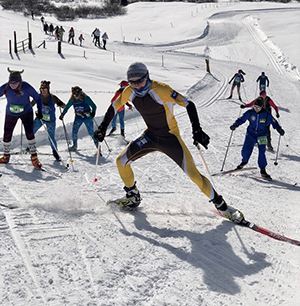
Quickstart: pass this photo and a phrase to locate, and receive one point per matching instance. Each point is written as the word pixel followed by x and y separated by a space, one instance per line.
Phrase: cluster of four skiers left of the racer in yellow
pixel 19 106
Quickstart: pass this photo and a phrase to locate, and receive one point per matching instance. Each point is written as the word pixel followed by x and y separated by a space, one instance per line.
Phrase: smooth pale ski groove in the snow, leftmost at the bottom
pixel 22 249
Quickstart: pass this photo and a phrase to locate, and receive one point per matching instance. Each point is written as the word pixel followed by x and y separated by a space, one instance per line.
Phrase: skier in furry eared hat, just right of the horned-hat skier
pixel 49 118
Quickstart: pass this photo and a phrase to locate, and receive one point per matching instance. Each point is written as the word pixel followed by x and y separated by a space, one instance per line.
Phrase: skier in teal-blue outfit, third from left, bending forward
pixel 85 110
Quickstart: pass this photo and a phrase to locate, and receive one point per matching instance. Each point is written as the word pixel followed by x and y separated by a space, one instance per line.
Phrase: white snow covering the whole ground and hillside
pixel 64 246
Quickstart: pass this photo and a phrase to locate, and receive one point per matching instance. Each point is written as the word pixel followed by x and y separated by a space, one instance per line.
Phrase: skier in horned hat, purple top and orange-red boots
pixel 18 107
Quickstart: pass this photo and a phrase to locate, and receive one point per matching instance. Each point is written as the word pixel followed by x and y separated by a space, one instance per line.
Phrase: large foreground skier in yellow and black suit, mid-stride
pixel 155 102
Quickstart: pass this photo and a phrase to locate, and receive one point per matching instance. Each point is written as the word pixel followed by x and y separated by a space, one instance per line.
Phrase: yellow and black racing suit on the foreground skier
pixel 162 133
